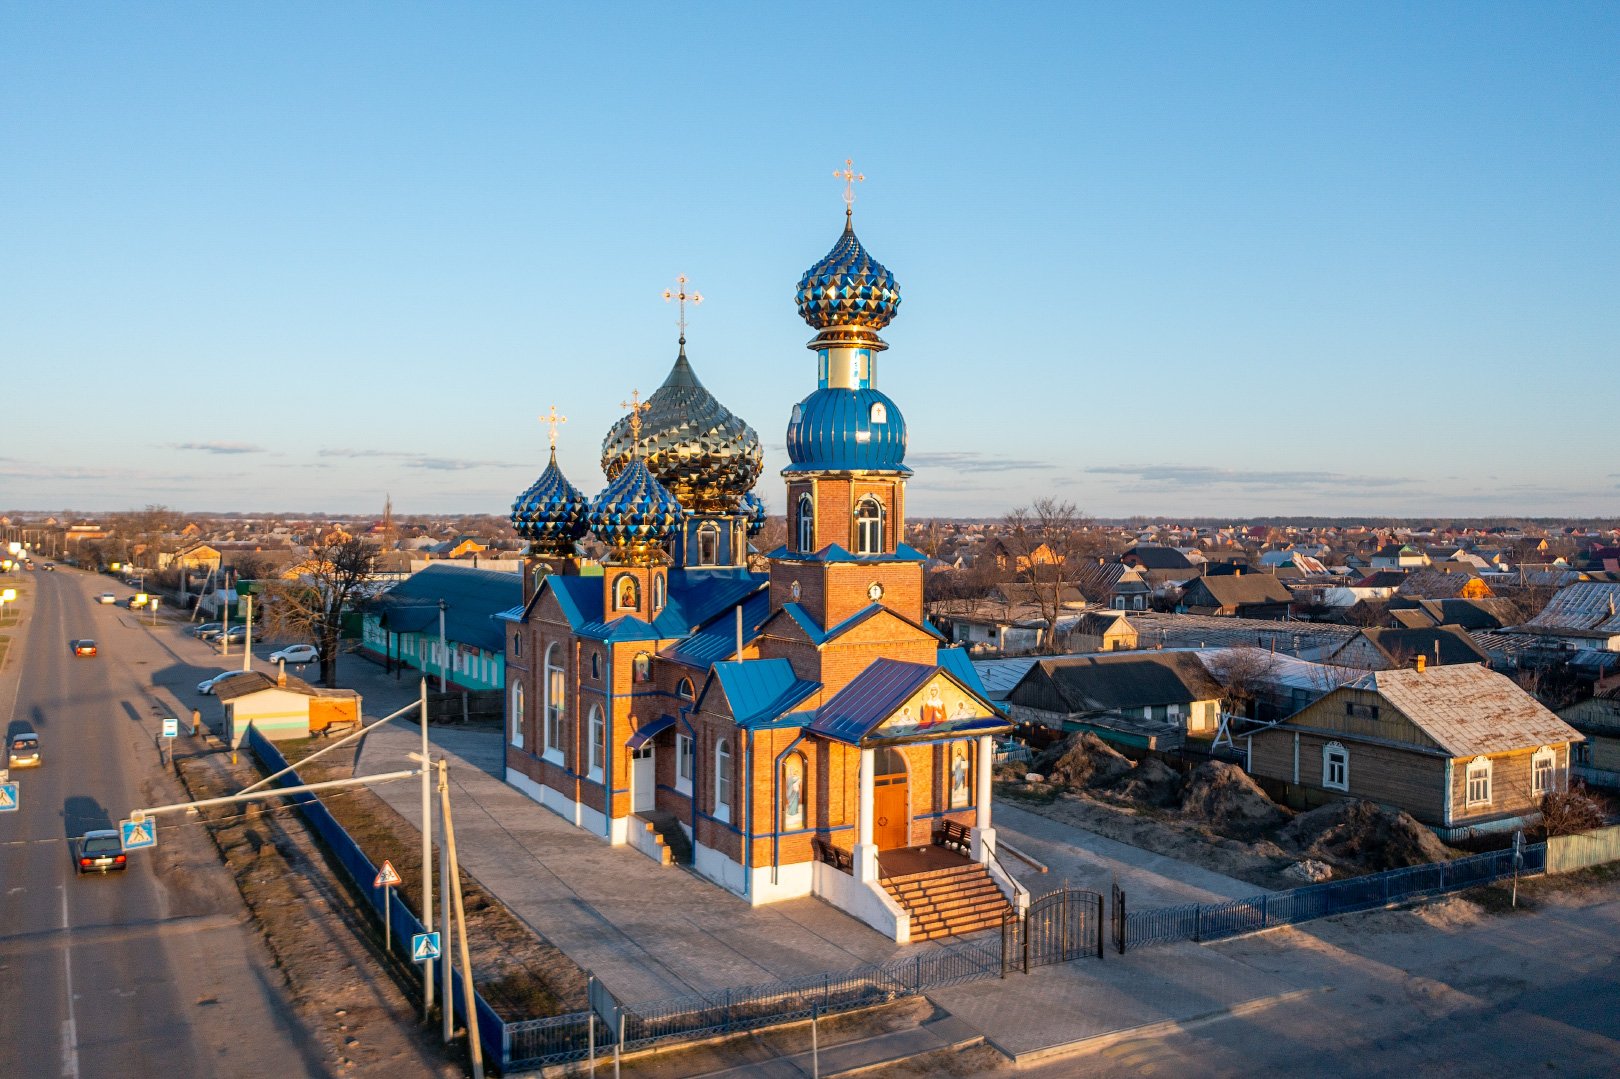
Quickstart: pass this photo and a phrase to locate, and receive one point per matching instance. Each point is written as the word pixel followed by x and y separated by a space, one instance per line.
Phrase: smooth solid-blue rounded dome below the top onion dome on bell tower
pixel 846 430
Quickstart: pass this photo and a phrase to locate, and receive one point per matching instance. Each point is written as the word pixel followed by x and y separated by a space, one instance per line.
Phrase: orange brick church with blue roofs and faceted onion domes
pixel 795 733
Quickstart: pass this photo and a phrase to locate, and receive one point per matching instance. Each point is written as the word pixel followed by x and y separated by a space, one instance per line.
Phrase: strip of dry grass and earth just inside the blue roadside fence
pixel 518 971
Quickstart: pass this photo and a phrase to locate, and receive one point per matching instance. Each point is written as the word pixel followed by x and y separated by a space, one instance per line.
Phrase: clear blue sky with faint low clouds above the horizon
pixel 1185 260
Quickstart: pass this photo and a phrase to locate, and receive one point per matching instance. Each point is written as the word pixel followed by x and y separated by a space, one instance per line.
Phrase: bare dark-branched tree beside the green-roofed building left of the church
pixel 335 579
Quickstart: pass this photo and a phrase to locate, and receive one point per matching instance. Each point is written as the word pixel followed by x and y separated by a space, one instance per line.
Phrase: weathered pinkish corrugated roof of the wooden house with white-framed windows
pixel 1469 709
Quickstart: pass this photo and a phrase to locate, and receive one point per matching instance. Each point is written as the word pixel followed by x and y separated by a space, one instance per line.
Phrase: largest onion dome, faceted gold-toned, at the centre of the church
pixel 706 456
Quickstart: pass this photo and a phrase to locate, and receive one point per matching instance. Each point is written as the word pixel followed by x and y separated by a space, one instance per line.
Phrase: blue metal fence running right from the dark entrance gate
pixel 1217 921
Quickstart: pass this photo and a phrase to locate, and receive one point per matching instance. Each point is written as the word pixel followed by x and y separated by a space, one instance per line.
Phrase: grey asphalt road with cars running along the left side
pixel 151 971
